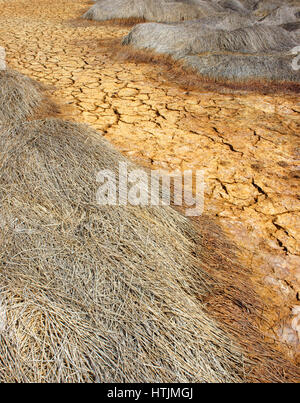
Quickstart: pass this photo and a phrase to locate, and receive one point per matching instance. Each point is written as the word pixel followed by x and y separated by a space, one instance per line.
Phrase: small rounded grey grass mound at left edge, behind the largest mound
pixel 20 97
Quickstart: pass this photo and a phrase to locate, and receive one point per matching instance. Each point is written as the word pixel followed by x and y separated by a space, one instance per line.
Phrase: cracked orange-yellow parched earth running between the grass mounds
pixel 247 144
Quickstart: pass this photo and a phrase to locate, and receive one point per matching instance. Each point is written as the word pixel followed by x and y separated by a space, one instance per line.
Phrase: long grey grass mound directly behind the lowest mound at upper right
pixel 190 39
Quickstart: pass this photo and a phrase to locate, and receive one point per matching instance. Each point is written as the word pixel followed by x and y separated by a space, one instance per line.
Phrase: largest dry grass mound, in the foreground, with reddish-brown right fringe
pixel 95 293
